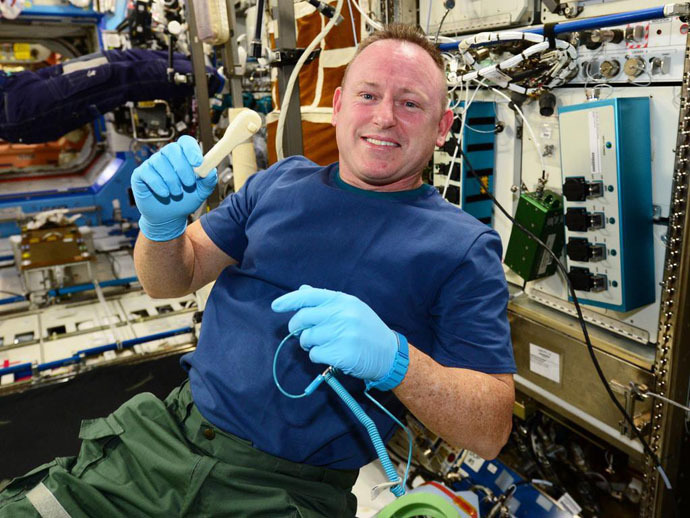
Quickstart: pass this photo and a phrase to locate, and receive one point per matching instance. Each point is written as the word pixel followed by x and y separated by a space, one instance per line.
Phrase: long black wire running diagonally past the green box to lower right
pixel 580 317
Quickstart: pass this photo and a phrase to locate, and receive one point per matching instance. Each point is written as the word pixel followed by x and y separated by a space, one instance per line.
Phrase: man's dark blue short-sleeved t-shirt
pixel 429 270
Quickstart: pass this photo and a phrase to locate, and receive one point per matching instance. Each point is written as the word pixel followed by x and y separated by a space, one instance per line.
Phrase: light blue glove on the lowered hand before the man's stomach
pixel 342 331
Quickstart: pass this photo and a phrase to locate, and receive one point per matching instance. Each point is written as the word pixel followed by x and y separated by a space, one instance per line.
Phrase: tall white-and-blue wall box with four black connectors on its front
pixel 607 198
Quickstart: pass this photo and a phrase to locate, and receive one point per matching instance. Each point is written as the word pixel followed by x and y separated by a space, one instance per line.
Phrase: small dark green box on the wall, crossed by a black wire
pixel 541 214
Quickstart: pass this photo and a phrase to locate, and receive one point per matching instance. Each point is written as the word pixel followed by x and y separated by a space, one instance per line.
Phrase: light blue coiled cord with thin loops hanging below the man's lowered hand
pixel 329 377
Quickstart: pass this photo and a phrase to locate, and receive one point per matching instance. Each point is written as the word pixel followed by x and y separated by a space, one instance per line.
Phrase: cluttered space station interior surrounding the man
pixel 570 138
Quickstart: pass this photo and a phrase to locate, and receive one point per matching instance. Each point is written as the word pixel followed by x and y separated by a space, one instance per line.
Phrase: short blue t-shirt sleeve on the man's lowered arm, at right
pixel 470 318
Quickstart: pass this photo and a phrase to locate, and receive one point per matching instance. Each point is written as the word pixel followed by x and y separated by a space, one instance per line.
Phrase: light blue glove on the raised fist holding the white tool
pixel 167 190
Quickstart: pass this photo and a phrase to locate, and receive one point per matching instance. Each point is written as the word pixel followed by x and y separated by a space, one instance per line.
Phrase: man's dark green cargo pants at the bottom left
pixel 154 458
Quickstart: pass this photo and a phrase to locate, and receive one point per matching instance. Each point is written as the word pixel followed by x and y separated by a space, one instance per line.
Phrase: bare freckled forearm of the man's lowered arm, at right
pixel 468 409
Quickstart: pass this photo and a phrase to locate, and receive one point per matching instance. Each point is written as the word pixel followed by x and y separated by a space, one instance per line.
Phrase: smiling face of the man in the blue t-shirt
pixel 388 116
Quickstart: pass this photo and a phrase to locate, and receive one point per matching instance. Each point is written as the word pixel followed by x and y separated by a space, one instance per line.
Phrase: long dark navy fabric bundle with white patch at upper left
pixel 44 105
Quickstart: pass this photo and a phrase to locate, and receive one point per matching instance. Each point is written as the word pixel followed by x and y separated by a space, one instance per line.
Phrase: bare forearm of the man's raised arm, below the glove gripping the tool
pixel 165 268
